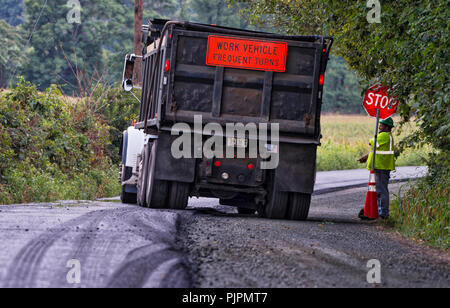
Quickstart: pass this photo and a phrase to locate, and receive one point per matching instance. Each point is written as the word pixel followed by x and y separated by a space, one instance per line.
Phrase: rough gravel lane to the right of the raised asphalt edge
pixel 331 249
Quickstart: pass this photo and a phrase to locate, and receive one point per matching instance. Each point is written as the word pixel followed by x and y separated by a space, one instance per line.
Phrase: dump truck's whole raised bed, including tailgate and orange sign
pixel 261 82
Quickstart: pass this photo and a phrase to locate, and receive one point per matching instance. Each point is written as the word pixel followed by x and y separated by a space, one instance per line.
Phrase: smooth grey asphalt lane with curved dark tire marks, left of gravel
pixel 117 246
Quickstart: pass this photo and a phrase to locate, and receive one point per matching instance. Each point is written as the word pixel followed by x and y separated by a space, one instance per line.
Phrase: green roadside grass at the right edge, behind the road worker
pixel 423 212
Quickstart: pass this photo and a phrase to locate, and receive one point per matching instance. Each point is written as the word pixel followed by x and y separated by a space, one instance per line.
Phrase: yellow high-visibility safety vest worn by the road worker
pixel 385 156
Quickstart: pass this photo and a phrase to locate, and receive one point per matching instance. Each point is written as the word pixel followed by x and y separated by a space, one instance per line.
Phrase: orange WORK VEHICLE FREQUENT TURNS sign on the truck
pixel 246 53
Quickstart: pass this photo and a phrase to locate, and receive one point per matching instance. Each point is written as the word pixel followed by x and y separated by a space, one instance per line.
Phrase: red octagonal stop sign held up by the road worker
pixel 377 98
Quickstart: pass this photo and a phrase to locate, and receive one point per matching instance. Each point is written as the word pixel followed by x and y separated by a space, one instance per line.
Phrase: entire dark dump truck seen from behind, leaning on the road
pixel 225 113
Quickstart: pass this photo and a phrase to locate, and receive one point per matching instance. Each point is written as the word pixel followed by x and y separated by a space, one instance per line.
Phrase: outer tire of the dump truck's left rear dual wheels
pixel 157 191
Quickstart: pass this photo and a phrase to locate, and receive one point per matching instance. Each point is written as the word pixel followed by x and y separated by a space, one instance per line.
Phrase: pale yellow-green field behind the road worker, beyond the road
pixel 346 139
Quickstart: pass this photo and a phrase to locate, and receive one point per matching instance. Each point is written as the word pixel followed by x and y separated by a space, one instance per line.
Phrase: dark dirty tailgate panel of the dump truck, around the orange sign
pixel 225 94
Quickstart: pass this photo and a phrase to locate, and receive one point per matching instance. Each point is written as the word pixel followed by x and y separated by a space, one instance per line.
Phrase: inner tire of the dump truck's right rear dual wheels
pixel 277 202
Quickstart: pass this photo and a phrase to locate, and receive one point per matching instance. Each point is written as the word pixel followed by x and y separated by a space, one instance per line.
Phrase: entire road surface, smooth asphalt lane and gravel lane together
pixel 207 245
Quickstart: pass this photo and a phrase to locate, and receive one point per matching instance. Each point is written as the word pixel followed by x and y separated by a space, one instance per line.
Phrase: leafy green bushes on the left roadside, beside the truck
pixel 52 148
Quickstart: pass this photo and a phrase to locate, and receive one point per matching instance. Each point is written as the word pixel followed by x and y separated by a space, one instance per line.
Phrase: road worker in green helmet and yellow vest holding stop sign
pixel 384 164
